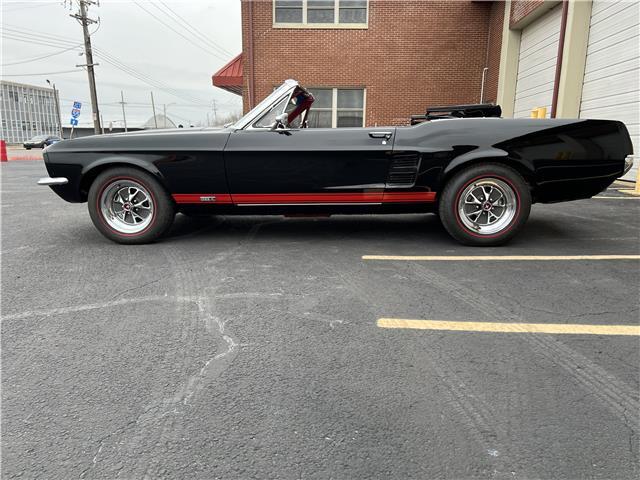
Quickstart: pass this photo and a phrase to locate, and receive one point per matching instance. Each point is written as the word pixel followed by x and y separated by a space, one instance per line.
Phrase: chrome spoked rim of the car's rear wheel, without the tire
pixel 487 206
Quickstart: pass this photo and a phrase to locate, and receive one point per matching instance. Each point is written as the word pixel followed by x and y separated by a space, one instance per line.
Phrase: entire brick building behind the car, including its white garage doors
pixel 374 62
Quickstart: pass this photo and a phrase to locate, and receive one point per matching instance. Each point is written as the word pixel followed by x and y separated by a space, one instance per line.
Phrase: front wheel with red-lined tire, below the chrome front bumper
pixel 130 206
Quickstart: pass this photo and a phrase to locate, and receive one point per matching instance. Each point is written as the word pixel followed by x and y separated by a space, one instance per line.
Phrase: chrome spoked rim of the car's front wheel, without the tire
pixel 126 206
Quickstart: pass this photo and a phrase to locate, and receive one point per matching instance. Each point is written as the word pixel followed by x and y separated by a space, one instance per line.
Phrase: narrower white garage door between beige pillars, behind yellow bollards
pixel 537 63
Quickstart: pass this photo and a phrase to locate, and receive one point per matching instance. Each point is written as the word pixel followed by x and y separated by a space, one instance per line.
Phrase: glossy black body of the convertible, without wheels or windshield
pixel 560 159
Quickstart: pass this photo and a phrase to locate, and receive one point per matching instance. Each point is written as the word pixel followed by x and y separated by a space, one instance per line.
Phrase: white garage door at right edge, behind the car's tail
pixel 611 88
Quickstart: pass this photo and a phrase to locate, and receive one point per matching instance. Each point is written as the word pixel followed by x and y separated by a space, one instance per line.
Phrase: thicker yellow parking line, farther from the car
pixel 497 327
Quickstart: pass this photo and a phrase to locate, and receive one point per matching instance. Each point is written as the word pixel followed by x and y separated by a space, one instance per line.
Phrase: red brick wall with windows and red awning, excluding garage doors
pixel 369 62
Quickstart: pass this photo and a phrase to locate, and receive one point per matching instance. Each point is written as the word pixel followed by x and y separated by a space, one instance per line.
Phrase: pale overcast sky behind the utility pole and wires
pixel 130 35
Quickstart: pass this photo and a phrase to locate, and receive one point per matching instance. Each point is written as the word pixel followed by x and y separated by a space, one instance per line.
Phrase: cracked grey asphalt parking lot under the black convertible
pixel 254 347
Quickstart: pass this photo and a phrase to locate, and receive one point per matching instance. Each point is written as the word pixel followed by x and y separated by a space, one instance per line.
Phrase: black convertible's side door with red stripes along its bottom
pixel 308 165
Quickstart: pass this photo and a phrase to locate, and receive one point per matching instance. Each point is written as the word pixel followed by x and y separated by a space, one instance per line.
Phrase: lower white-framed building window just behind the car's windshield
pixel 337 107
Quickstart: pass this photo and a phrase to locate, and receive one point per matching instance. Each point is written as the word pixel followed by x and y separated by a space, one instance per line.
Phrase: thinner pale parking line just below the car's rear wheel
pixel 498 258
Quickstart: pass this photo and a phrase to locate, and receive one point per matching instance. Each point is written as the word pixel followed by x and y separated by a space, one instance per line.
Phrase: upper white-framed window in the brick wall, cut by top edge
pixel 320 13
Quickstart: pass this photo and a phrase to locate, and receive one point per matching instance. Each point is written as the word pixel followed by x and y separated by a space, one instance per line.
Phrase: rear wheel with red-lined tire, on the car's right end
pixel 485 205
